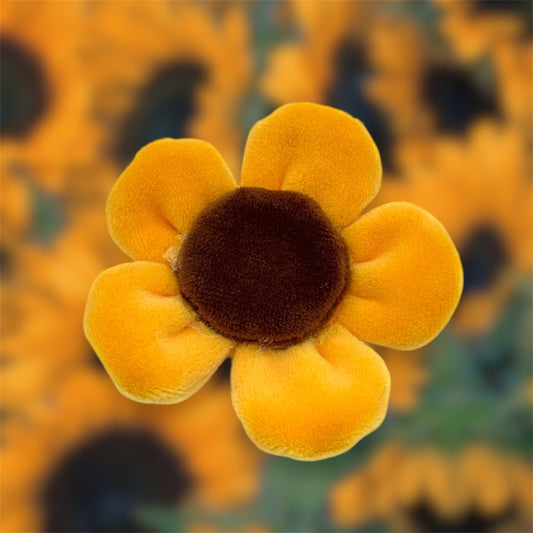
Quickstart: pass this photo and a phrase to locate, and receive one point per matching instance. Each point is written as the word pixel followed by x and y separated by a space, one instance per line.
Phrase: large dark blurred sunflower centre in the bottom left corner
pixel 100 485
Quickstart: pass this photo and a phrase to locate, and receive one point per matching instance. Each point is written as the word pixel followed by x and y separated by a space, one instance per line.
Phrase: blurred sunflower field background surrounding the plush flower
pixel 445 89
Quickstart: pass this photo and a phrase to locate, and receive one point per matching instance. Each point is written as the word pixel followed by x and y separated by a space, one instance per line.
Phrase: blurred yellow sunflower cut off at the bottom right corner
pixel 423 489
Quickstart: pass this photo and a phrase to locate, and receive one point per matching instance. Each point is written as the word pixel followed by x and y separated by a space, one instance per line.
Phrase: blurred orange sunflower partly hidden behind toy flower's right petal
pixel 480 189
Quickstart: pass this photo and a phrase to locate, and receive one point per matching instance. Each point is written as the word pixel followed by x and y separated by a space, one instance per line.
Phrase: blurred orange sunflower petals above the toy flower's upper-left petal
pixel 130 43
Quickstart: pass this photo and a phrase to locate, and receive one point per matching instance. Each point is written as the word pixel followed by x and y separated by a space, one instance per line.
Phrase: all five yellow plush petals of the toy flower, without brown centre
pixel 319 396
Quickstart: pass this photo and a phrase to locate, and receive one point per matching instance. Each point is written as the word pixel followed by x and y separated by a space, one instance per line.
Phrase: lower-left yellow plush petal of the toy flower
pixel 150 343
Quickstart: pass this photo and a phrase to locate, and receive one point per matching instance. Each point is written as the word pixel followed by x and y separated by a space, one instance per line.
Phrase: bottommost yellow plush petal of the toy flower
pixel 313 400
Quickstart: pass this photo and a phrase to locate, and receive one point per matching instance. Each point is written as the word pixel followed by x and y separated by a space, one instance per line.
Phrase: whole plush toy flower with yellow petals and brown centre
pixel 279 274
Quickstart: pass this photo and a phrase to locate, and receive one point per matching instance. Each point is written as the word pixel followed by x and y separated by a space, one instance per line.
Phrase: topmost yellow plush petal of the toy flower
pixel 316 150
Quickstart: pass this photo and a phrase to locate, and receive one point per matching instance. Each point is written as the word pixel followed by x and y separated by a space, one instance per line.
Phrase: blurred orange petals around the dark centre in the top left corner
pixel 63 136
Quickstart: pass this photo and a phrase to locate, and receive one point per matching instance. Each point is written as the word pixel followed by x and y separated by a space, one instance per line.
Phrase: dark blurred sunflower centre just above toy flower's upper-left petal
pixel 164 107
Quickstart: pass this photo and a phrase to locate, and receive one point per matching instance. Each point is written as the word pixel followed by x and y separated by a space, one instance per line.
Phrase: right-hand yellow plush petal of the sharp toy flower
pixel 406 277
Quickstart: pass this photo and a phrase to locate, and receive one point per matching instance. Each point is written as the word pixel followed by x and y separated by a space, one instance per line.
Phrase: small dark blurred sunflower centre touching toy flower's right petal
pixel 484 257
